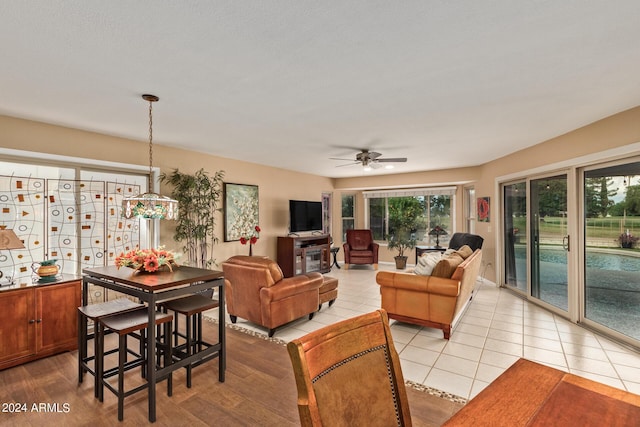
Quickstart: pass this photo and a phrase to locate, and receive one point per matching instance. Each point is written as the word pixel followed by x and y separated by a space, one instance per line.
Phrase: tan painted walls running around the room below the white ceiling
pixel 277 186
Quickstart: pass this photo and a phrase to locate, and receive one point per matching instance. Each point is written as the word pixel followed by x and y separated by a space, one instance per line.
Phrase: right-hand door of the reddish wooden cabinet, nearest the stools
pixel 57 322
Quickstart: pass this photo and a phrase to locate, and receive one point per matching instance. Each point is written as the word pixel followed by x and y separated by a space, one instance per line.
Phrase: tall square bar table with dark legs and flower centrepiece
pixel 152 288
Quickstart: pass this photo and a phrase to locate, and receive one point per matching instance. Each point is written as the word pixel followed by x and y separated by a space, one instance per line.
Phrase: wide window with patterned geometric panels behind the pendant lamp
pixel 68 214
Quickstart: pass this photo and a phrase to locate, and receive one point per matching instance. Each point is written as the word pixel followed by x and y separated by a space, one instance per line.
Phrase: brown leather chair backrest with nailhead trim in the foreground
pixel 349 373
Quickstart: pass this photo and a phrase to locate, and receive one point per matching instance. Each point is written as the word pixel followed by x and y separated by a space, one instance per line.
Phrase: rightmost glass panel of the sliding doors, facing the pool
pixel 611 247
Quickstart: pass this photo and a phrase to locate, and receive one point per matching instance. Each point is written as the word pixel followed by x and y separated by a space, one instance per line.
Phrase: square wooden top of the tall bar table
pixel 154 281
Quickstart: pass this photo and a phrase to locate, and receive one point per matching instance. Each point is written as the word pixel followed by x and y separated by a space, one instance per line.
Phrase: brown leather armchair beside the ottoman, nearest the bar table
pixel 256 290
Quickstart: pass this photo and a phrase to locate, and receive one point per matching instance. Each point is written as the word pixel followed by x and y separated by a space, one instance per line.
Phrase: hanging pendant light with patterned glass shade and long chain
pixel 150 205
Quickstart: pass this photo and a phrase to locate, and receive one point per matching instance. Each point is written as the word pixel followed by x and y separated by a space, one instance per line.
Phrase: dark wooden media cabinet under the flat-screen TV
pixel 304 254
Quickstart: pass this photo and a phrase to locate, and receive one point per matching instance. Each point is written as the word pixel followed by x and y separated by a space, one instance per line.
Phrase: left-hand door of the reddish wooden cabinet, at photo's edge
pixel 17 333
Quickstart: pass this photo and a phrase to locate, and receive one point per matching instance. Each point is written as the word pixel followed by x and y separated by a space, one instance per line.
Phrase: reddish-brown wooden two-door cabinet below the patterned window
pixel 38 321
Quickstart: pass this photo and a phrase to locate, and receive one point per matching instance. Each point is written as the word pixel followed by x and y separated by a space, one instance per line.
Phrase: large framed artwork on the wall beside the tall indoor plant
pixel 241 210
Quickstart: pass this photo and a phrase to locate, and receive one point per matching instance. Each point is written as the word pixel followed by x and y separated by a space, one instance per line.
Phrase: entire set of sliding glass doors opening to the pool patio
pixel 572 243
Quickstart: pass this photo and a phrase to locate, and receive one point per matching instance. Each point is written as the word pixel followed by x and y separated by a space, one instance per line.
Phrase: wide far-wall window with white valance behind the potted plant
pixel 421 210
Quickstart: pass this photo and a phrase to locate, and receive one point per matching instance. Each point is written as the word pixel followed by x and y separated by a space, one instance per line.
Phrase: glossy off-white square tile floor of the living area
pixel 496 329
